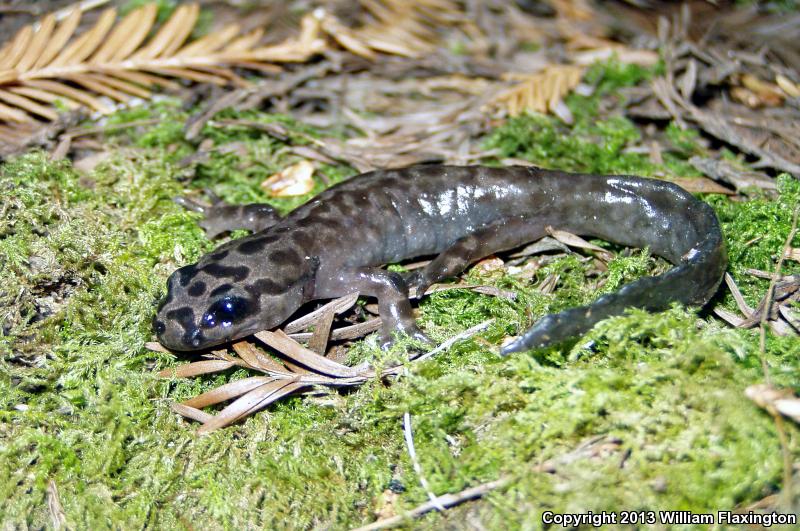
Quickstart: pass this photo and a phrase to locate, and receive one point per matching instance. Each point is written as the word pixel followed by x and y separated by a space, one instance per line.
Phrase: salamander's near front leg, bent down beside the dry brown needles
pixel 390 290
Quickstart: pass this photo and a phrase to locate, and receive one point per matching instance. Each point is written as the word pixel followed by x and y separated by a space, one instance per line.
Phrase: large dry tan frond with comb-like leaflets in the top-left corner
pixel 118 60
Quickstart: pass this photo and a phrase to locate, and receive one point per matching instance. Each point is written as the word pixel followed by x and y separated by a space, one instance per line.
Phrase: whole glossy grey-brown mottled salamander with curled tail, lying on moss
pixel 335 244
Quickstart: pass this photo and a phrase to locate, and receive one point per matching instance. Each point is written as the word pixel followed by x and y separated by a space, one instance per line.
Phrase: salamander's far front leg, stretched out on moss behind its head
pixel 220 217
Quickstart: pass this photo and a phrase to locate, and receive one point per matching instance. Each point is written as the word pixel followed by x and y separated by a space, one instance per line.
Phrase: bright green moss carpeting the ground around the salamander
pixel 84 257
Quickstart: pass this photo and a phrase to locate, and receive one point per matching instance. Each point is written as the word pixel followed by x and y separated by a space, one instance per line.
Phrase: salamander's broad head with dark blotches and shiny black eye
pixel 225 297
